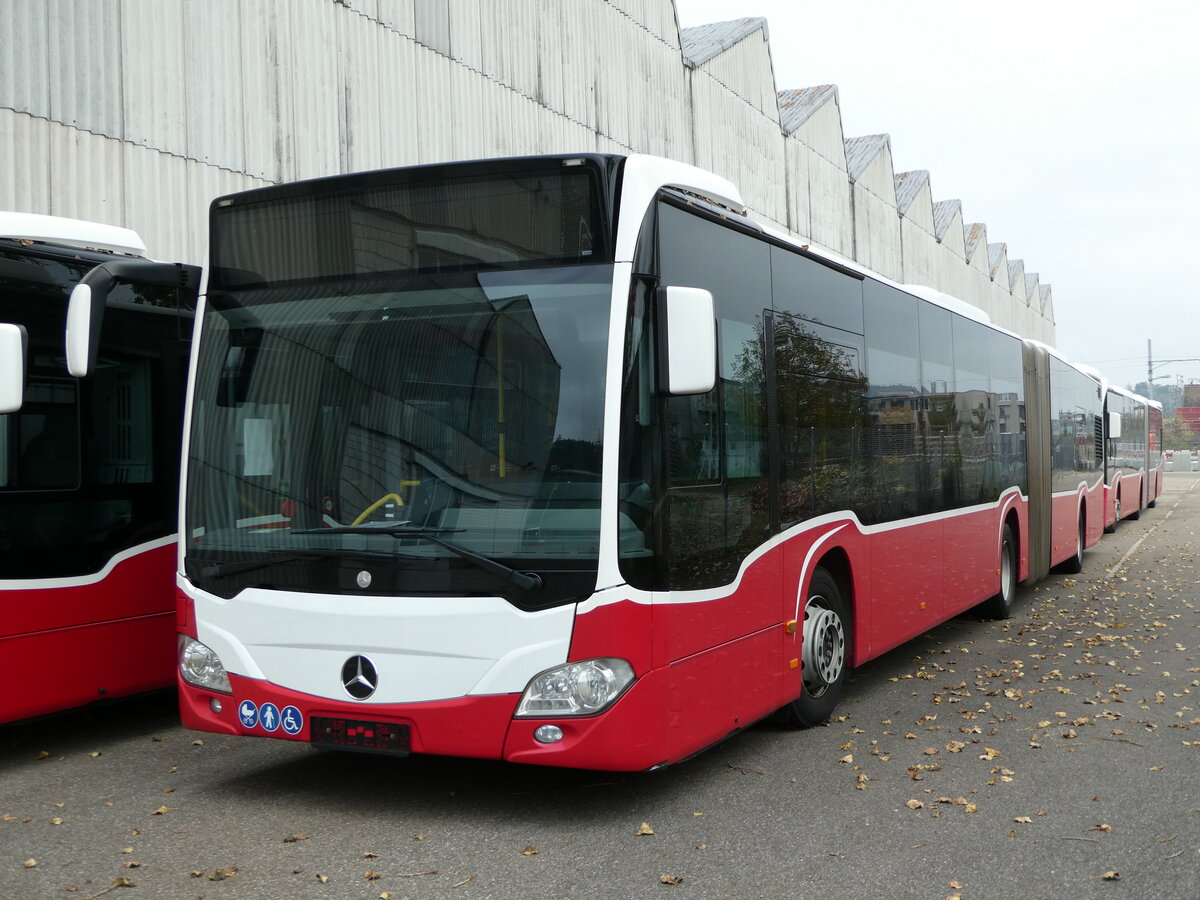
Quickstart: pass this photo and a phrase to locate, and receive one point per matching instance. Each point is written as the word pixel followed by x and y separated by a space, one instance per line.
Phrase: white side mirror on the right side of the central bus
pixel 689 329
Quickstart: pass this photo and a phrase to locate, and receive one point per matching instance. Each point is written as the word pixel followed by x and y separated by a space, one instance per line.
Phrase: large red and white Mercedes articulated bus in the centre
pixel 568 461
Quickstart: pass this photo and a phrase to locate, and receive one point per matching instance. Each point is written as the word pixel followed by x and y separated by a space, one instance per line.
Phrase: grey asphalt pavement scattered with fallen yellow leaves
pixel 1053 755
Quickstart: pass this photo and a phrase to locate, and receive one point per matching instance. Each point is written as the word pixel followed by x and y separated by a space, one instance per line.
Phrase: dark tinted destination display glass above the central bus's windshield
pixel 411 220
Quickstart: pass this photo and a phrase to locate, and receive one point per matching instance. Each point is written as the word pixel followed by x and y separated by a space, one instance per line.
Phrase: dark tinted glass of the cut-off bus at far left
pixel 89 467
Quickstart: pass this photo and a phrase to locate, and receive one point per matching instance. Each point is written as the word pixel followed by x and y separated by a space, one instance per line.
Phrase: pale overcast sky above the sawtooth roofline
pixel 1071 130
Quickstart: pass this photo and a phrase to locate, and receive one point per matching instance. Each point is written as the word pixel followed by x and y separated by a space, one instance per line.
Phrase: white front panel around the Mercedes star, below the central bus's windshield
pixel 423 649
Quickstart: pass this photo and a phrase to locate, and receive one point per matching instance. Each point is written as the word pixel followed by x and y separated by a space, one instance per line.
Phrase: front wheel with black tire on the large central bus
pixel 825 639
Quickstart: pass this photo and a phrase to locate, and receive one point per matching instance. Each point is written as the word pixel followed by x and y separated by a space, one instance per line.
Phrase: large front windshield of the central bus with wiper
pixel 464 407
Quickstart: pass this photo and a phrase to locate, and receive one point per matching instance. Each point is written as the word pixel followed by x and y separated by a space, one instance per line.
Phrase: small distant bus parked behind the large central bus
pixel 1133 455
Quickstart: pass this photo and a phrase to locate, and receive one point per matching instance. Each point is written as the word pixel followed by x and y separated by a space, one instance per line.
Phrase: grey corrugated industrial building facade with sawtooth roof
pixel 140 112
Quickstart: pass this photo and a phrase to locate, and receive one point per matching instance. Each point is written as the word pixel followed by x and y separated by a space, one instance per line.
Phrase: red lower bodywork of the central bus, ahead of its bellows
pixel 707 663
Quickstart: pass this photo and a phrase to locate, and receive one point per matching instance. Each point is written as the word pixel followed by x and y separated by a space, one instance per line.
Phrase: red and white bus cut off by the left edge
pixel 89 472
